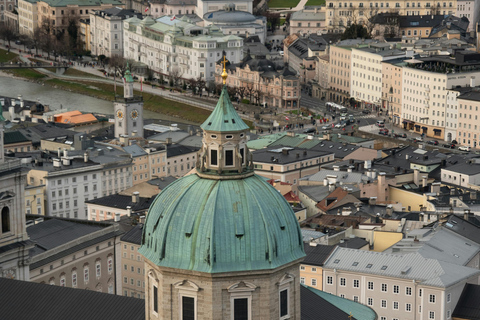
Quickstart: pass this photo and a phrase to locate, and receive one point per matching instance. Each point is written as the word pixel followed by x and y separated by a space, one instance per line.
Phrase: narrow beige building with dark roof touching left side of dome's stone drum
pixel 132 264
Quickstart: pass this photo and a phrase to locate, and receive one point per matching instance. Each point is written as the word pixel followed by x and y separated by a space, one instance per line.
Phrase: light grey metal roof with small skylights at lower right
pixel 411 266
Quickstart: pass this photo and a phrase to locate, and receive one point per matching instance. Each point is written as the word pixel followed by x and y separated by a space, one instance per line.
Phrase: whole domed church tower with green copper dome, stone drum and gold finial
pixel 222 243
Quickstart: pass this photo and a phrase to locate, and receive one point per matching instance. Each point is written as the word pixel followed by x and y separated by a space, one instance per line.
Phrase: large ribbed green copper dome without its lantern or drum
pixel 214 226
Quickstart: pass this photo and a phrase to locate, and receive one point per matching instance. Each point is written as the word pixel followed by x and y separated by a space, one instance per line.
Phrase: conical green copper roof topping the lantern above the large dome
pixel 224 118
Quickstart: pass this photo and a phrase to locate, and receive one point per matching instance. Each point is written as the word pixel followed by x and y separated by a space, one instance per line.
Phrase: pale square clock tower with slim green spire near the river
pixel 128 110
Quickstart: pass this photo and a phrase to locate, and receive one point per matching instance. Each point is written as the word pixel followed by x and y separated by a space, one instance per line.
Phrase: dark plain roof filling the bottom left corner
pixel 28 300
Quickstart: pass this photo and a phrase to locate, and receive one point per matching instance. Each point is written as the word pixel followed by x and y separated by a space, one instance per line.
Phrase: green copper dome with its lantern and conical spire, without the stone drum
pixel 223 218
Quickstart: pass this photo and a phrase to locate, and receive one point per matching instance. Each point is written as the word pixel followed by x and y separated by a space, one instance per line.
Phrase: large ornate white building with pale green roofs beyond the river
pixel 176 46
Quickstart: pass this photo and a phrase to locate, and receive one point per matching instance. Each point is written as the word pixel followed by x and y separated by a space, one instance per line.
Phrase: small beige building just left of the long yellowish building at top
pixel 311 19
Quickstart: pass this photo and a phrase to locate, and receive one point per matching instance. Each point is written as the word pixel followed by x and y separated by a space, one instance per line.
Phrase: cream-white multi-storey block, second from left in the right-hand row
pixel 366 76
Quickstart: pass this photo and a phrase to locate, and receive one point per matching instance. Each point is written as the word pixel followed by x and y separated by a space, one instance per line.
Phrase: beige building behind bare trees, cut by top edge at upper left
pixel 58 14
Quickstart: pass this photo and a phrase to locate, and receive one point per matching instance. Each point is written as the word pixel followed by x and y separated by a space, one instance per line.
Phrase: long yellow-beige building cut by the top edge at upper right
pixel 340 15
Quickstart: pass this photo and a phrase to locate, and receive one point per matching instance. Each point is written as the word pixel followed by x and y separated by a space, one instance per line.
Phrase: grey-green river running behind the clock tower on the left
pixel 58 99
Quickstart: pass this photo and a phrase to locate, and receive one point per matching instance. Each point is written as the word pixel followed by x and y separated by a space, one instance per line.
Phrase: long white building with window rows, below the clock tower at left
pixel 71 180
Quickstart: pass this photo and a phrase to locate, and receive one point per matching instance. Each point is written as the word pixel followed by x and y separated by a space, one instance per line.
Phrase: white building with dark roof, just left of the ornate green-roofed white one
pixel 107 30
